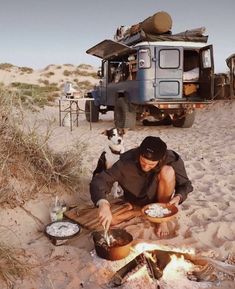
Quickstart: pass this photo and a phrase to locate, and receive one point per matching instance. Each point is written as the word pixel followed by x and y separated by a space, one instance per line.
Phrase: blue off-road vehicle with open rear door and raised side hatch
pixel 142 74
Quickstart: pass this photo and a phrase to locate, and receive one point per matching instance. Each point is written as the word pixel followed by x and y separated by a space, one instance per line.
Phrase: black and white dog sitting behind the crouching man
pixel 111 154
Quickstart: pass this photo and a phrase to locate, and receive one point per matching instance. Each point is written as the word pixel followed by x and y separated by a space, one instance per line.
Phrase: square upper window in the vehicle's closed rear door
pixel 169 58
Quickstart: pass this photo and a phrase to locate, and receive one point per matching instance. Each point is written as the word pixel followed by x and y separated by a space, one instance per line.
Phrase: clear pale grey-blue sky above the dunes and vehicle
pixel 36 33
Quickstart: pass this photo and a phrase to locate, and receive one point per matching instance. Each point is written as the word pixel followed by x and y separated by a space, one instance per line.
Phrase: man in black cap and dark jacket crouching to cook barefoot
pixel 149 173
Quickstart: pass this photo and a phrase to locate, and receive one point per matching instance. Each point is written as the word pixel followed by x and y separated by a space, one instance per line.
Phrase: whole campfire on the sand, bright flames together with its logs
pixel 162 265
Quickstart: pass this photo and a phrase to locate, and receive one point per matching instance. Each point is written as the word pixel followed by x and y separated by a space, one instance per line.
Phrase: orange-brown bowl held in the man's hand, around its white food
pixel 172 208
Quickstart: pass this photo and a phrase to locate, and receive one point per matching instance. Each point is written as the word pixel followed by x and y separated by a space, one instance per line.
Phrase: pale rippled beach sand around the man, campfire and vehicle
pixel 206 222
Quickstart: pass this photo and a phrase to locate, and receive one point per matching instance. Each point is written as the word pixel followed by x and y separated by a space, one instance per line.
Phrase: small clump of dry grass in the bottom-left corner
pixel 12 265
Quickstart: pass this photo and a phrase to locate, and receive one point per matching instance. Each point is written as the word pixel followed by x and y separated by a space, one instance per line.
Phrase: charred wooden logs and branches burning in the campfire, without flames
pixel 155 261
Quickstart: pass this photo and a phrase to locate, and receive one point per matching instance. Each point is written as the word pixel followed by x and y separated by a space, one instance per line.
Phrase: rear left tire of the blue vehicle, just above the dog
pixel 123 117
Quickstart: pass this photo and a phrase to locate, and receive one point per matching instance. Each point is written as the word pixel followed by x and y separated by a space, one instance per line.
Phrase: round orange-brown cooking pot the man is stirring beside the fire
pixel 119 247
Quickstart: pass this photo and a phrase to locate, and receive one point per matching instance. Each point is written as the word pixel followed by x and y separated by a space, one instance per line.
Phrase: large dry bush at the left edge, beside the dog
pixel 27 165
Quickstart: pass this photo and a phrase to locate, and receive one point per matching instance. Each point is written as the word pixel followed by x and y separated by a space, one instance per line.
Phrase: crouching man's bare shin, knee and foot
pixel 166 187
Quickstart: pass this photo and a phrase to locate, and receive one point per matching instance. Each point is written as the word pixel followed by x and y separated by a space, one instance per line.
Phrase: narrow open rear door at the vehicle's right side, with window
pixel 206 72
